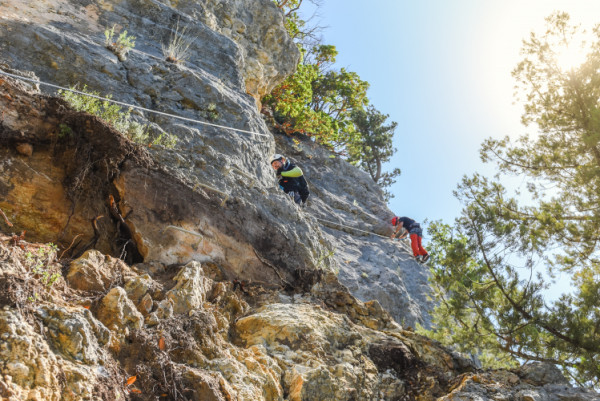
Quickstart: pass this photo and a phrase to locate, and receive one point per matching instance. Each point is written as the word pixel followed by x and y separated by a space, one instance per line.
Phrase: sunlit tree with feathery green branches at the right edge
pixel 492 267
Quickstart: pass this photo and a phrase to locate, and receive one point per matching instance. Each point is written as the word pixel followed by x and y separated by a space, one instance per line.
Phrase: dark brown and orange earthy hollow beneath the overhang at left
pixel 37 193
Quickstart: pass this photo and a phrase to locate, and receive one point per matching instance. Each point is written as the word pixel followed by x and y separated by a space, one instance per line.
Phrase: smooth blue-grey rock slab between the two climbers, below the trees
pixel 348 206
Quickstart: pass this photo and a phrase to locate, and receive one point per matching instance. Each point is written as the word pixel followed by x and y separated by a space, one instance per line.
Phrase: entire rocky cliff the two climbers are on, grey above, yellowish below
pixel 184 273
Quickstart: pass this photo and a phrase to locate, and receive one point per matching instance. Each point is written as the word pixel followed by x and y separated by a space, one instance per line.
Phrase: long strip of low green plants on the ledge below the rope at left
pixel 114 115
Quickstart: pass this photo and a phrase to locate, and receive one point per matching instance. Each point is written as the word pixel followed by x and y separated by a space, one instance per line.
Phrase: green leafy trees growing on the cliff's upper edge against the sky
pixel 322 103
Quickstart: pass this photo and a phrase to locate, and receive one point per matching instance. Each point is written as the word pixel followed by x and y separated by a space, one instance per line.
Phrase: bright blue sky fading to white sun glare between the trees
pixel 441 69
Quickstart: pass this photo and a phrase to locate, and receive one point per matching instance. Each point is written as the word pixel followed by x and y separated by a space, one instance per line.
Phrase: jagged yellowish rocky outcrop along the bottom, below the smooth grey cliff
pixel 220 342
